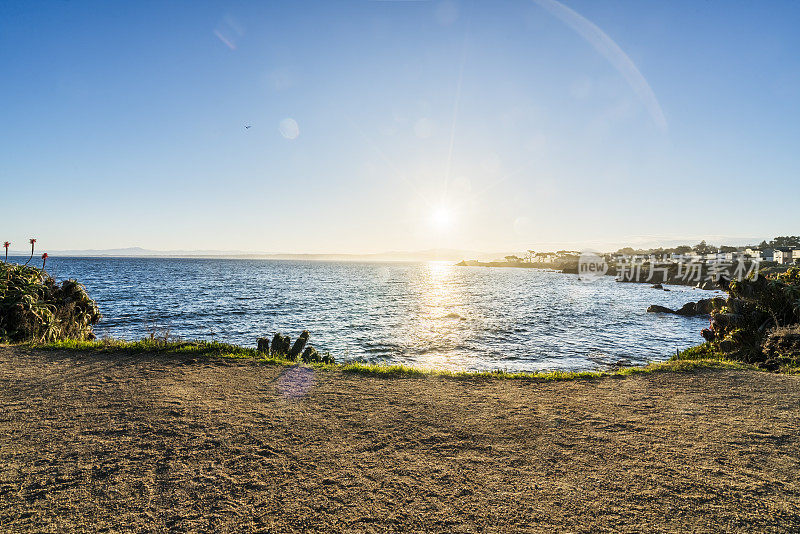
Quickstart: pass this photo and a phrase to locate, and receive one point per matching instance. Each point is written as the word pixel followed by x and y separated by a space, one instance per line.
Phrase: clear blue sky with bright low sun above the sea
pixel 398 125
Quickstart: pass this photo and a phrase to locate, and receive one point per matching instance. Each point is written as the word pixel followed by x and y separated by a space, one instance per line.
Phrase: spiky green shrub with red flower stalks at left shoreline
pixel 34 307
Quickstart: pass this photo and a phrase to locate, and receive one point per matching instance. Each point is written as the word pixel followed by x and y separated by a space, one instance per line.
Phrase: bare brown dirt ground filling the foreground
pixel 165 443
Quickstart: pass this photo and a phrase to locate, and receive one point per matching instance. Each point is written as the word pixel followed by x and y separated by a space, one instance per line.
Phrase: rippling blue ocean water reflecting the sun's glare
pixel 427 314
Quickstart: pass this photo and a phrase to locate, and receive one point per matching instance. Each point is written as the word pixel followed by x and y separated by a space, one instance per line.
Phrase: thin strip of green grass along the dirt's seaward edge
pixel 690 360
